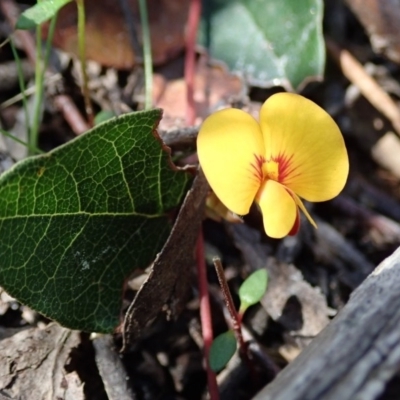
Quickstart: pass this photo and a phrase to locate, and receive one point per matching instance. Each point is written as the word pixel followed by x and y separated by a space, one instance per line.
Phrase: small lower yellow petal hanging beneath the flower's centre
pixel 278 208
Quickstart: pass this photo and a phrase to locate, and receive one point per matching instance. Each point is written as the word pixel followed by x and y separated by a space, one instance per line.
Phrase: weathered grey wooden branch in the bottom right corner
pixel 357 353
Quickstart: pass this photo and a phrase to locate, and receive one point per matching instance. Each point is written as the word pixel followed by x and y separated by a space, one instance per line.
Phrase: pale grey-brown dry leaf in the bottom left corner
pixel 33 365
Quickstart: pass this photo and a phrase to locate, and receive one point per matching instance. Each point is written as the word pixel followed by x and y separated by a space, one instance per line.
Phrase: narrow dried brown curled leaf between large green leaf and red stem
pixel 167 285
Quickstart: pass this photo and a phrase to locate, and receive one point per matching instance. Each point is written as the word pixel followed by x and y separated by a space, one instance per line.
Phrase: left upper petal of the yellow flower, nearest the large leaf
pixel 229 146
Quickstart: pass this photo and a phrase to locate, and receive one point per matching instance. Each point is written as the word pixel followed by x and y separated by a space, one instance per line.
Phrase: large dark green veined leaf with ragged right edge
pixel 74 223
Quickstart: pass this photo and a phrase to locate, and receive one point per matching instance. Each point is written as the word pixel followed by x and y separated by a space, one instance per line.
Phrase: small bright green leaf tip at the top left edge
pixel 39 13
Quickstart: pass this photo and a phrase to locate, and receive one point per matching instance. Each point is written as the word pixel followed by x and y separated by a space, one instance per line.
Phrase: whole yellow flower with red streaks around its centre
pixel 296 150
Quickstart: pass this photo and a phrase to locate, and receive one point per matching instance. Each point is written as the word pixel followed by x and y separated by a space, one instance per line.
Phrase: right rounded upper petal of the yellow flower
pixel 307 144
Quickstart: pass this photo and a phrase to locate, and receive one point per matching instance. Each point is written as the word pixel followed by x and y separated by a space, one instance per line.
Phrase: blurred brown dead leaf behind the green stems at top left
pixel 108 39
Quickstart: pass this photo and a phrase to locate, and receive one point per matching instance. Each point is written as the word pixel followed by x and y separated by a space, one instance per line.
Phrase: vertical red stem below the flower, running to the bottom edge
pixel 205 315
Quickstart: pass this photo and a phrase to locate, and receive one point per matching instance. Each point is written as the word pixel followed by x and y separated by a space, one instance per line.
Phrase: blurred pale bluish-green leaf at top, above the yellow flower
pixel 268 42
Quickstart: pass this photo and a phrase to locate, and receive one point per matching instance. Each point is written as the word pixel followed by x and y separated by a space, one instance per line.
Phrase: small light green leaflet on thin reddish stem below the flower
pixel 253 289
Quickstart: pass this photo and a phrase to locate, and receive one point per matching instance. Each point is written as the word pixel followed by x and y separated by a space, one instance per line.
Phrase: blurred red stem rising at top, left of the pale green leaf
pixel 190 58
